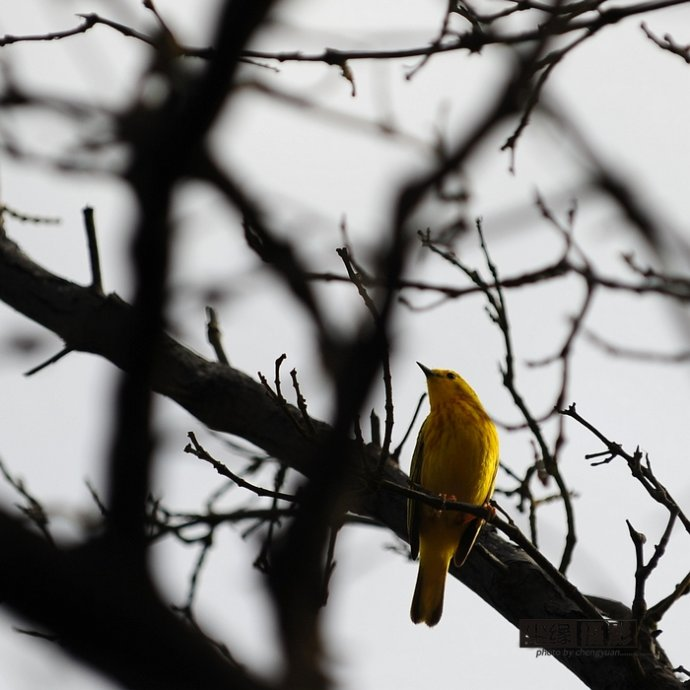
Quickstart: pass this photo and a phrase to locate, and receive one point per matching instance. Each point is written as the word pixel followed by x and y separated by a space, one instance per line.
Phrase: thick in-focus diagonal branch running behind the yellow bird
pixel 228 400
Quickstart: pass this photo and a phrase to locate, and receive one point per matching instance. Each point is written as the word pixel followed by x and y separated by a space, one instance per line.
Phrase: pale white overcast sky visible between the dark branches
pixel 632 101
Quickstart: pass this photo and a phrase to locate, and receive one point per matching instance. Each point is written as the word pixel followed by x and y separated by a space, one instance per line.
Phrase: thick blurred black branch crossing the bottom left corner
pixel 98 612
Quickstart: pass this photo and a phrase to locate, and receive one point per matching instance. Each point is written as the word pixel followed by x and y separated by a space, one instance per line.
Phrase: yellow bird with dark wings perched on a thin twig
pixel 456 456
